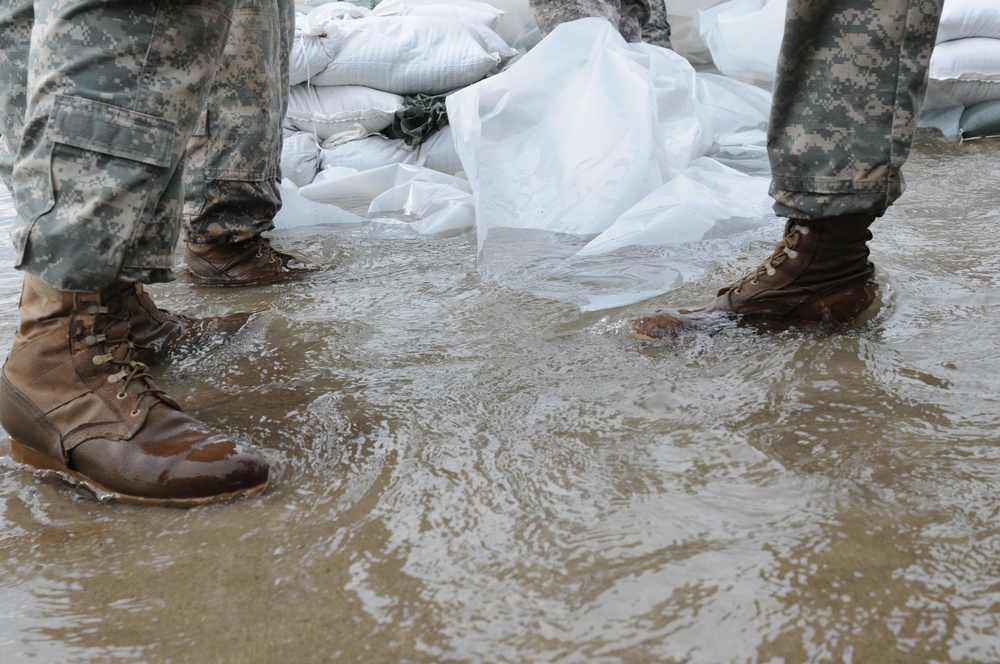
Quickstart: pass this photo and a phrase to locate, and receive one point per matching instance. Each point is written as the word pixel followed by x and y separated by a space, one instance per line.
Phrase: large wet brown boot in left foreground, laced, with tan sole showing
pixel 77 406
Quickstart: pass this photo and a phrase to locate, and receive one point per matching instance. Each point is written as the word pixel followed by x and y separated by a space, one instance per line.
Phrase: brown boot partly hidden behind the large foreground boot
pixel 159 334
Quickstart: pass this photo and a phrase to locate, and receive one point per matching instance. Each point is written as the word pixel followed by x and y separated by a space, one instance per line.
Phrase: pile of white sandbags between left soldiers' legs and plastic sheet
pixel 353 70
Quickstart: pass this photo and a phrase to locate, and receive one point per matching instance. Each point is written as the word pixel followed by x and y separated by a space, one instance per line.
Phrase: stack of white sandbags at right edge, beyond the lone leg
pixel 965 65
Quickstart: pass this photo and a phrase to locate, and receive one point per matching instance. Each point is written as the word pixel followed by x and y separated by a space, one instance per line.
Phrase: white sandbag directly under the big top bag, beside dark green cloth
pixel 340 113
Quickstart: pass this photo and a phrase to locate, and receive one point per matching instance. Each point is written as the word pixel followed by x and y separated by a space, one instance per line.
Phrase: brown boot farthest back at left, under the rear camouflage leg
pixel 246 263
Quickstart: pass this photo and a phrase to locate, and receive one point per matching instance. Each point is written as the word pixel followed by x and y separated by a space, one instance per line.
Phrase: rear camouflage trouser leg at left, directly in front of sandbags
pixel 233 168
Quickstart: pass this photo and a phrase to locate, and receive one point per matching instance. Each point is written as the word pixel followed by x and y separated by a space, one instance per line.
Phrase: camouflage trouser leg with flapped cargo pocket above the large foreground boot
pixel 115 93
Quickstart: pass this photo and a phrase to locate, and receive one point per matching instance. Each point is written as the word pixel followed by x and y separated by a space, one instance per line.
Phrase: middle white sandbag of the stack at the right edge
pixel 967 70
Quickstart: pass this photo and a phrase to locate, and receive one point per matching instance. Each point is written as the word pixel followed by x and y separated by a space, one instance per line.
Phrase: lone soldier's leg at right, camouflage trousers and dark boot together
pixel 851 78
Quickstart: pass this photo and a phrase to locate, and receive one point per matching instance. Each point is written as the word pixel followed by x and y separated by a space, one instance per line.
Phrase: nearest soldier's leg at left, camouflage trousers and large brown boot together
pixel 113 92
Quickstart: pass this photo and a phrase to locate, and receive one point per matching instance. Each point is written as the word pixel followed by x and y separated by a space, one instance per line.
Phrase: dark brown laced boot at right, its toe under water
pixel 819 274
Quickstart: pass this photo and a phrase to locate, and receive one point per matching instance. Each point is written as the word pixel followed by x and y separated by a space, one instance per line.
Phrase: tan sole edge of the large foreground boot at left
pixel 43 465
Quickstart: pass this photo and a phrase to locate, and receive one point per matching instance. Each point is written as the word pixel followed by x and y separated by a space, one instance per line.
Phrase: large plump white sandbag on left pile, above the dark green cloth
pixel 406 55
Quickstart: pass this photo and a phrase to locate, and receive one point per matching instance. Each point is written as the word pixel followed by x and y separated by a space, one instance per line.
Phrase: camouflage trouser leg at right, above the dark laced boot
pixel 850 82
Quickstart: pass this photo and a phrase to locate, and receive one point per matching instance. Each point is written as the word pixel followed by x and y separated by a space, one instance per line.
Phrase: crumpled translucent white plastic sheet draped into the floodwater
pixel 595 171
